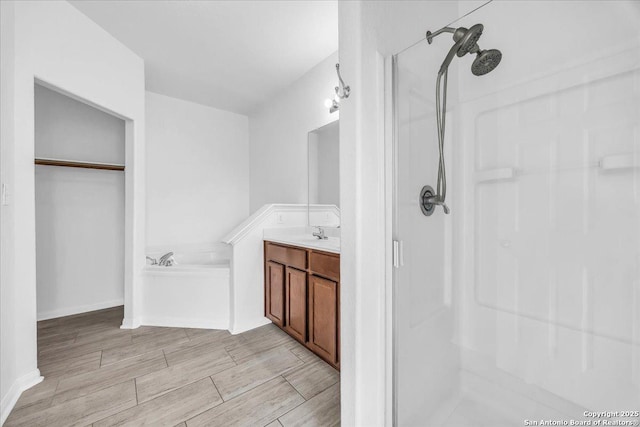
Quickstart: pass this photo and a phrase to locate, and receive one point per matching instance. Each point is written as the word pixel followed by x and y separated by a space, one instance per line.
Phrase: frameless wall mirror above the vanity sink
pixel 323 170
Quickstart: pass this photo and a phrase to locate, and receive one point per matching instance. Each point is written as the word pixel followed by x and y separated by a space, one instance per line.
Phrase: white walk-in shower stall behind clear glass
pixel 522 305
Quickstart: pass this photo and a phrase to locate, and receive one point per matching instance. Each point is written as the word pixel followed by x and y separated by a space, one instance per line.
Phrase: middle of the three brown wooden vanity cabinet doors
pixel 296 303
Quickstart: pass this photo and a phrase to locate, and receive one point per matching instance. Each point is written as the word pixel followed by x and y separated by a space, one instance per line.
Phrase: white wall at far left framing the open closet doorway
pixel 56 44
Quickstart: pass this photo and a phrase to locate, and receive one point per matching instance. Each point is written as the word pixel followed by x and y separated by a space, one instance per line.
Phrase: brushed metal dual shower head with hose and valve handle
pixel 466 41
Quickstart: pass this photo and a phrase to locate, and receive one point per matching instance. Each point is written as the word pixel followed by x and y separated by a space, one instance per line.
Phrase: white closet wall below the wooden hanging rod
pixel 80 240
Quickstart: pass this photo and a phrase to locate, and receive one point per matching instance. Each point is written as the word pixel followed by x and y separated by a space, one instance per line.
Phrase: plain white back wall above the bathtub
pixel 197 173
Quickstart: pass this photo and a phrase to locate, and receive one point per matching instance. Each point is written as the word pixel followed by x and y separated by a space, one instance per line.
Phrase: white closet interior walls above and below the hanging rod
pixel 79 212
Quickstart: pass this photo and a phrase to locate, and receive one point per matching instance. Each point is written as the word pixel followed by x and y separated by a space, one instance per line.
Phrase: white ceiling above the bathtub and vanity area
pixel 232 55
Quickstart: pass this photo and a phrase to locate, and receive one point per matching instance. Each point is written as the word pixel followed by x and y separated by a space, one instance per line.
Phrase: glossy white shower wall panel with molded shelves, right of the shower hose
pixel 552 301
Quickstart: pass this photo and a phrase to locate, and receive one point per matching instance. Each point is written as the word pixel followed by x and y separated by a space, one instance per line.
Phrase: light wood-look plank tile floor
pixel 99 375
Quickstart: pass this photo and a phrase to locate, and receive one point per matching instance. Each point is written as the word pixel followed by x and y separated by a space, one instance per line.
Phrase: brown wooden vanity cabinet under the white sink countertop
pixel 302 296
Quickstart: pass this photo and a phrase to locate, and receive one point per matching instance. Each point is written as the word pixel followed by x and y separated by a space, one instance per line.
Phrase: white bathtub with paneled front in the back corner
pixel 193 293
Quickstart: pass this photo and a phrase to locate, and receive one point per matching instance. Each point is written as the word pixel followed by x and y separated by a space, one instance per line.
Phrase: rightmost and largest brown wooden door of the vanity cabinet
pixel 323 318
